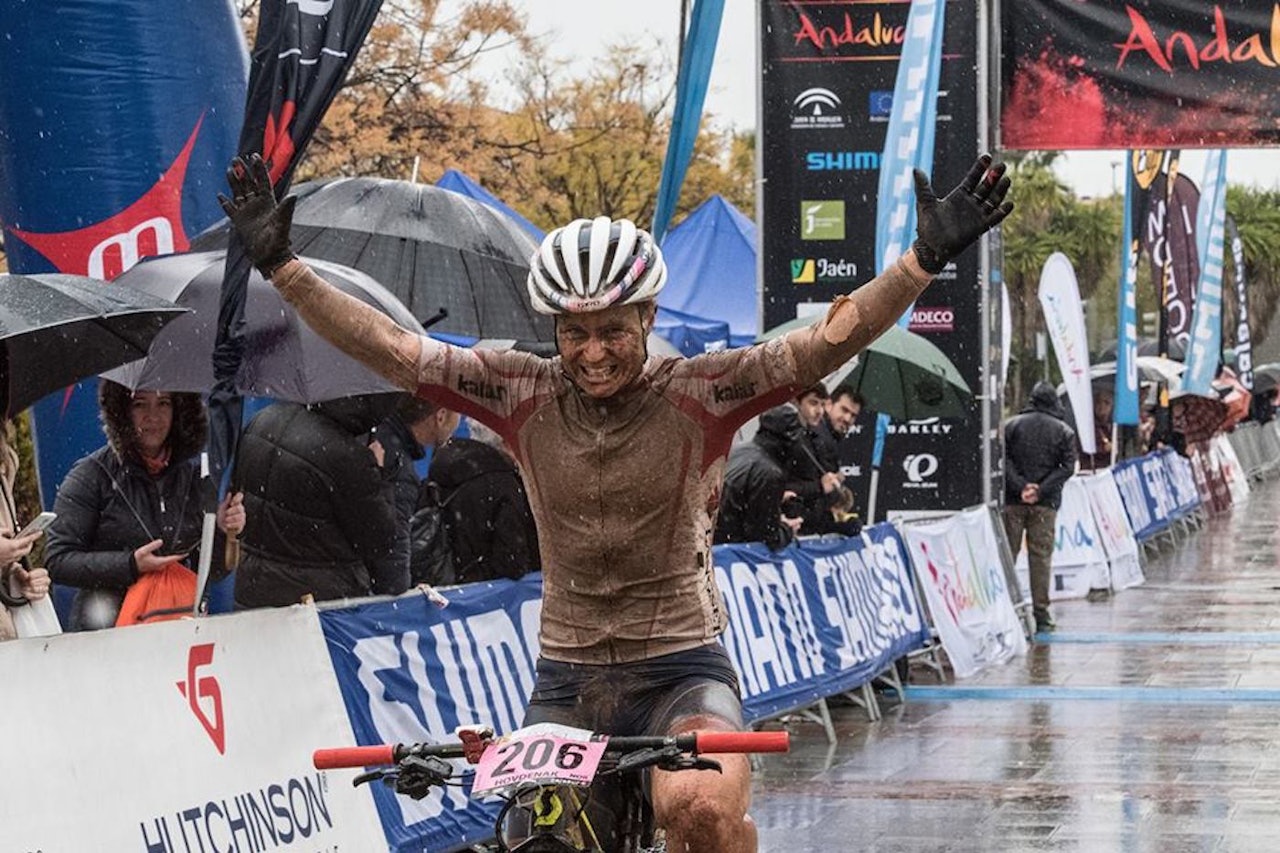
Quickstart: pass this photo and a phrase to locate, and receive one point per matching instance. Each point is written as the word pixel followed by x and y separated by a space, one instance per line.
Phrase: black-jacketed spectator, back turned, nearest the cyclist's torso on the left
pixel 491 528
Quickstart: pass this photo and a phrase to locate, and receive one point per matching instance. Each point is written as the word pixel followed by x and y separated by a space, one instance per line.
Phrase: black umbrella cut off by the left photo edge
pixel 58 330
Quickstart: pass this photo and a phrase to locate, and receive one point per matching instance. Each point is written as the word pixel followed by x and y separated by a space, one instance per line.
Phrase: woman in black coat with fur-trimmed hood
pixel 135 507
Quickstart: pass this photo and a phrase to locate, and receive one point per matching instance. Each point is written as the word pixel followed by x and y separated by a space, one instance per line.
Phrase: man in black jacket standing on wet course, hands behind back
pixel 1040 457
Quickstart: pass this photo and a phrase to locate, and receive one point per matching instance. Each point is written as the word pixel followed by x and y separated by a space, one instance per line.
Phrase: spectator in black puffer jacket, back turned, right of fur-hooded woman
pixel 322 519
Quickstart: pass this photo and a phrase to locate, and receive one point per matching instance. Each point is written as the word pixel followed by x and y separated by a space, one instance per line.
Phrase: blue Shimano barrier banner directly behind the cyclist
pixel 804 623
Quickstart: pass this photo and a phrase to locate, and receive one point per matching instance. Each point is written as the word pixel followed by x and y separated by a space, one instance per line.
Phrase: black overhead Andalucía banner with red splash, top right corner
pixel 1145 74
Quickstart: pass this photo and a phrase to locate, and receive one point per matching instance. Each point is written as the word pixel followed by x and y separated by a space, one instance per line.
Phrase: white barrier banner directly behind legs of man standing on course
pixel 1080 563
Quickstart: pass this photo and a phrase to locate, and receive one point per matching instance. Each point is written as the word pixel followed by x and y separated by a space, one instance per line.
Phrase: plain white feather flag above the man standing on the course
pixel 1064 318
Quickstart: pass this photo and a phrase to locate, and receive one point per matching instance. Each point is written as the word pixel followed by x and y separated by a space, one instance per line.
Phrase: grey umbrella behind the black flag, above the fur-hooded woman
pixel 284 358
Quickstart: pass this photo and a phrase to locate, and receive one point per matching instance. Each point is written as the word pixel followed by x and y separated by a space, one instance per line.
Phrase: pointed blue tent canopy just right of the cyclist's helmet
pixel 711 258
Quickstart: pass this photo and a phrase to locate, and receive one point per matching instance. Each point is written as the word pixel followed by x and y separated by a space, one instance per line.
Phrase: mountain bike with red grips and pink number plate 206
pixel 551 777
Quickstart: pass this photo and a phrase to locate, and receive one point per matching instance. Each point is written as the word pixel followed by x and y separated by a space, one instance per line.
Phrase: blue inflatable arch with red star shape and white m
pixel 117 124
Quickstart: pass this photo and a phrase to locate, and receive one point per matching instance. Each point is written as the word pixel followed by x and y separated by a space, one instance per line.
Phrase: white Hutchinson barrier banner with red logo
pixel 176 737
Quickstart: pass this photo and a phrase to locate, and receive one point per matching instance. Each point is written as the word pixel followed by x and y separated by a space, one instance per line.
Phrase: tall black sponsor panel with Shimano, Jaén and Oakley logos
pixel 828 95
